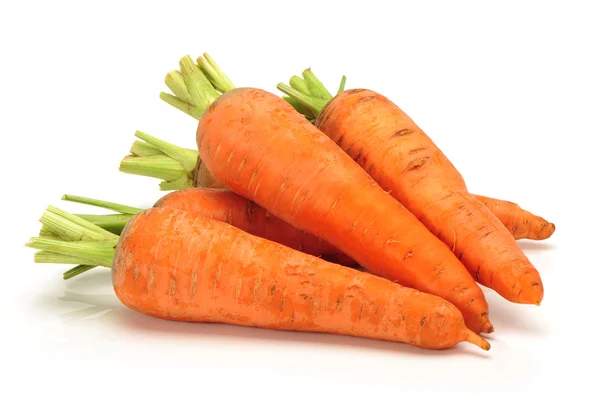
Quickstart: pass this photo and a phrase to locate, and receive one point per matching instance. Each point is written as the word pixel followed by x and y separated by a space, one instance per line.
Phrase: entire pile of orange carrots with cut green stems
pixel 310 211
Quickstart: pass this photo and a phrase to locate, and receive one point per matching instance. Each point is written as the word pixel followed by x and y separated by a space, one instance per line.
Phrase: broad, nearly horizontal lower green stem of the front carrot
pixel 88 252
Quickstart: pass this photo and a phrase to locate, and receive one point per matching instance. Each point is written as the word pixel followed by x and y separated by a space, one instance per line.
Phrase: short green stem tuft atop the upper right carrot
pixel 307 94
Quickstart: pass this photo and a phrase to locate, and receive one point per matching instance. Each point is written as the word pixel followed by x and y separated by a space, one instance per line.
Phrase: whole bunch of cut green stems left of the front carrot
pixel 83 239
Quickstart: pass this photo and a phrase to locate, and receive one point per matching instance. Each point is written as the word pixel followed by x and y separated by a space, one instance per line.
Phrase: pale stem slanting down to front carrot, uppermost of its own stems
pixel 71 227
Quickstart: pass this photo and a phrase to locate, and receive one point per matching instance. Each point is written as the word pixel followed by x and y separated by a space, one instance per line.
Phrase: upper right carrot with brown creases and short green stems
pixel 399 156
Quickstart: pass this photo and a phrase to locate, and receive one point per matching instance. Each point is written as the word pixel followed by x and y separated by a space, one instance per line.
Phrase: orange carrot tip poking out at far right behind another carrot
pixel 520 223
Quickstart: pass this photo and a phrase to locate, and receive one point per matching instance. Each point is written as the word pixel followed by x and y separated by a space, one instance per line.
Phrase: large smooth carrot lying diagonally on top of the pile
pixel 259 146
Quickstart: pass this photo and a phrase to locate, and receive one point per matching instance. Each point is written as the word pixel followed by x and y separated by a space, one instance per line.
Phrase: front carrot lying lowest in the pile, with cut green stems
pixel 175 265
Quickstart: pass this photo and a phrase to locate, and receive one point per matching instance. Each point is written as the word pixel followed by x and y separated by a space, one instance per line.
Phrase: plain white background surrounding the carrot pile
pixel 510 92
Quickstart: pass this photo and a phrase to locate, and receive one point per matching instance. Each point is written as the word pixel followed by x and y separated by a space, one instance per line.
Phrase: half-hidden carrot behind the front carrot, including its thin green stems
pixel 225 206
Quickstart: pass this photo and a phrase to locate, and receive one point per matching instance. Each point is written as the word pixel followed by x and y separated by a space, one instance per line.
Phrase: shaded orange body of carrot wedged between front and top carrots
pixel 224 205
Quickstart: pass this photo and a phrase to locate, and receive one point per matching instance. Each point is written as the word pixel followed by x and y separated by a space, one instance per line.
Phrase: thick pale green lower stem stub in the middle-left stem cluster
pixel 159 166
